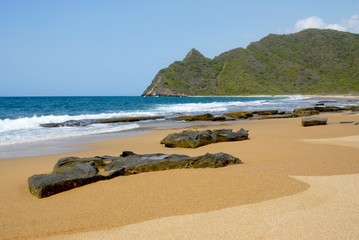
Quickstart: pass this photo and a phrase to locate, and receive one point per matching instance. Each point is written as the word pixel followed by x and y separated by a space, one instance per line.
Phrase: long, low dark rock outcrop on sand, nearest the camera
pixel 72 172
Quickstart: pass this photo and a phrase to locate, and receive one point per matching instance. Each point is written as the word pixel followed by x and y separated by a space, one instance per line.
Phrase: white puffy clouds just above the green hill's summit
pixel 350 25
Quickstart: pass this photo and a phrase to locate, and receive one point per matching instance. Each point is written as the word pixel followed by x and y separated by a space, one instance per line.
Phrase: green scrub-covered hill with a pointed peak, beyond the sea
pixel 309 62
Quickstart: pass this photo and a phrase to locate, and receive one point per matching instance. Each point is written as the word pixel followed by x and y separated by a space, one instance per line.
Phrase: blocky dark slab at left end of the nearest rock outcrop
pixel 44 185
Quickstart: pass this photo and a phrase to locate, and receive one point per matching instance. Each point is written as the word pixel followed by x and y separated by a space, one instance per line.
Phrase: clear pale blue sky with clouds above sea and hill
pixel 115 48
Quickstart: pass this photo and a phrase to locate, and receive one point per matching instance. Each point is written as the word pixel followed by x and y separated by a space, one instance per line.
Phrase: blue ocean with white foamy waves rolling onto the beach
pixel 22 135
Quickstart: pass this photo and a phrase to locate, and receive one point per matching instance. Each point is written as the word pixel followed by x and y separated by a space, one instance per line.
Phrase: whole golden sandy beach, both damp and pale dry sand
pixel 296 183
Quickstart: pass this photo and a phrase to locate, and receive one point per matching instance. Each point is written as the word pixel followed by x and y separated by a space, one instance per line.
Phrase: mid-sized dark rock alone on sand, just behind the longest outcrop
pixel 194 139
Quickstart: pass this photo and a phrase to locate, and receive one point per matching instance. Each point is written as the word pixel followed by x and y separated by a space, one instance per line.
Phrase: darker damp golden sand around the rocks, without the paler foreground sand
pixel 277 151
